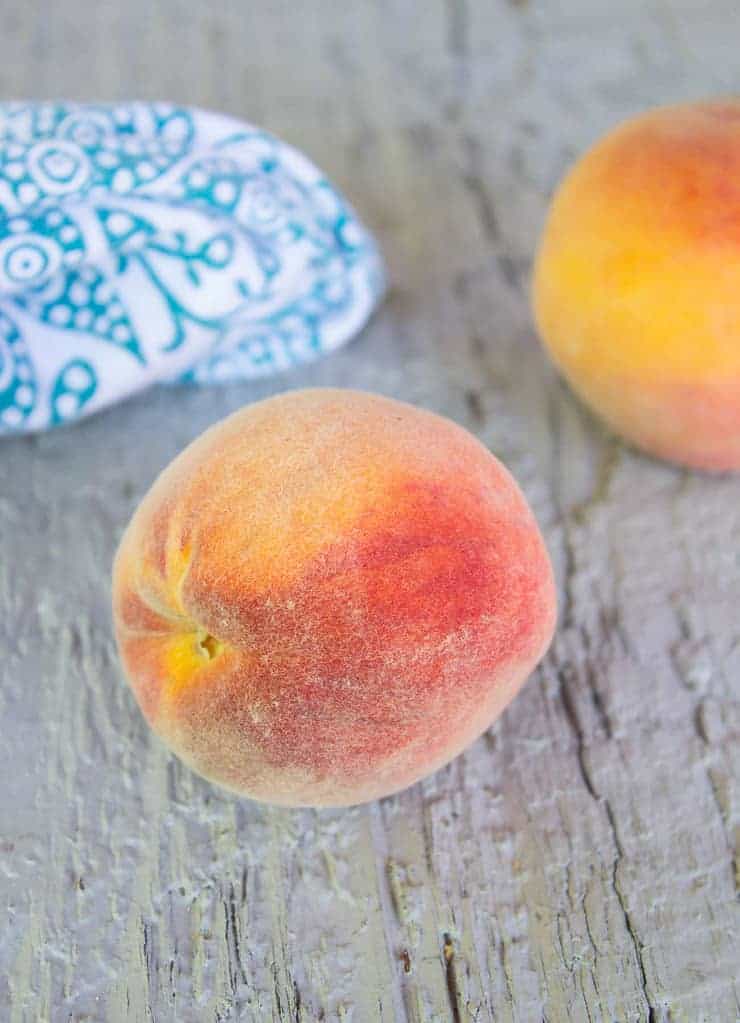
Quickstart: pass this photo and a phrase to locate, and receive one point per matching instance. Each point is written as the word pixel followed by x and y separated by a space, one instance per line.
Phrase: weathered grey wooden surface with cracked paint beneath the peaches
pixel 582 862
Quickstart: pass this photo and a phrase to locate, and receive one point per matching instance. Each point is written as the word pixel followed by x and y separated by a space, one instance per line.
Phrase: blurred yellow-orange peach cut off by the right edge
pixel 637 283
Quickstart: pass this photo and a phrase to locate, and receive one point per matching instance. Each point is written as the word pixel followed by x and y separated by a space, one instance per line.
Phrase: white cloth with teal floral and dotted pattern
pixel 146 243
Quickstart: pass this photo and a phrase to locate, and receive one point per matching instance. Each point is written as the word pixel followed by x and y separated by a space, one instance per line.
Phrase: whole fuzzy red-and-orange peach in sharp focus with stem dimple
pixel 328 596
